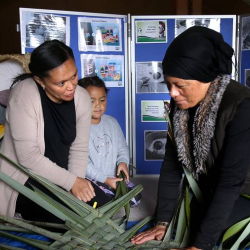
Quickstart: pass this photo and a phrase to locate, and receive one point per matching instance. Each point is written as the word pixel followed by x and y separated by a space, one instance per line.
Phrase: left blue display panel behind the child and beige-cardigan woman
pixel 99 43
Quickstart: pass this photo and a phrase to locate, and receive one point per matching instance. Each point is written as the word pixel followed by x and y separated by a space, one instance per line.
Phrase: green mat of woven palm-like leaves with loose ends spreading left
pixel 85 227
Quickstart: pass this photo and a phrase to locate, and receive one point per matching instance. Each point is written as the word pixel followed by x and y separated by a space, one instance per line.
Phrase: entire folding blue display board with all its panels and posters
pixel 102 47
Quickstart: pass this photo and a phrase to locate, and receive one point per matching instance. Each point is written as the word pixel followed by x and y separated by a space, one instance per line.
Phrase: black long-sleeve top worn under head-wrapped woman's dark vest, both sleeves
pixel 225 180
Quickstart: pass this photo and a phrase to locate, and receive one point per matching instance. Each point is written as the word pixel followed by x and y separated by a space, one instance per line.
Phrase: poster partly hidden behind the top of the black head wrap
pixel 182 24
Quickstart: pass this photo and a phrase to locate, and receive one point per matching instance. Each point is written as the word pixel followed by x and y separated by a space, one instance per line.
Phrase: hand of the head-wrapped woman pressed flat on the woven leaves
pixel 156 233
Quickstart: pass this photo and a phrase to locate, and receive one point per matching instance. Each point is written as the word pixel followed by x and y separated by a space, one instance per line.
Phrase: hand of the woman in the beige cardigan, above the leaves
pixel 83 190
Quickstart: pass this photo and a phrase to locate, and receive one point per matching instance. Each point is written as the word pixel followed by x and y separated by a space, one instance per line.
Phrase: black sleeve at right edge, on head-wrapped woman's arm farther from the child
pixel 233 171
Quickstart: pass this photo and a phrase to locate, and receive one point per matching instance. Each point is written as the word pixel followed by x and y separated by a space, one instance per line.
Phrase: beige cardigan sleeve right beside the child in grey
pixel 79 150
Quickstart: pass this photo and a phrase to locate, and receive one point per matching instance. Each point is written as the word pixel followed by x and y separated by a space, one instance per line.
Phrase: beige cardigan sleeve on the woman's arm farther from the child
pixel 23 119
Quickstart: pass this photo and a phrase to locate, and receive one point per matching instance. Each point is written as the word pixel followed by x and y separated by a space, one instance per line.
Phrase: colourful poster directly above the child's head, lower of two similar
pixel 109 68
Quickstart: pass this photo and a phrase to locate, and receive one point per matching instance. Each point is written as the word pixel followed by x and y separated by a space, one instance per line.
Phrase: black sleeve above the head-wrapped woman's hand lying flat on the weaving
pixel 169 181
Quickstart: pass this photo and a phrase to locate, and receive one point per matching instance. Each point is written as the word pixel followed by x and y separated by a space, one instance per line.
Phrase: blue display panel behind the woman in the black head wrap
pixel 151 36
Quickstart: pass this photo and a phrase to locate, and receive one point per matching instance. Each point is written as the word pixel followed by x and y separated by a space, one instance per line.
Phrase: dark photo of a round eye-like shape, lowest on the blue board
pixel 154 144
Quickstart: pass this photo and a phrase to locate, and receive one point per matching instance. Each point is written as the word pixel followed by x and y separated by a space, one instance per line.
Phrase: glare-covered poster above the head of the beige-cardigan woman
pixel 39 28
